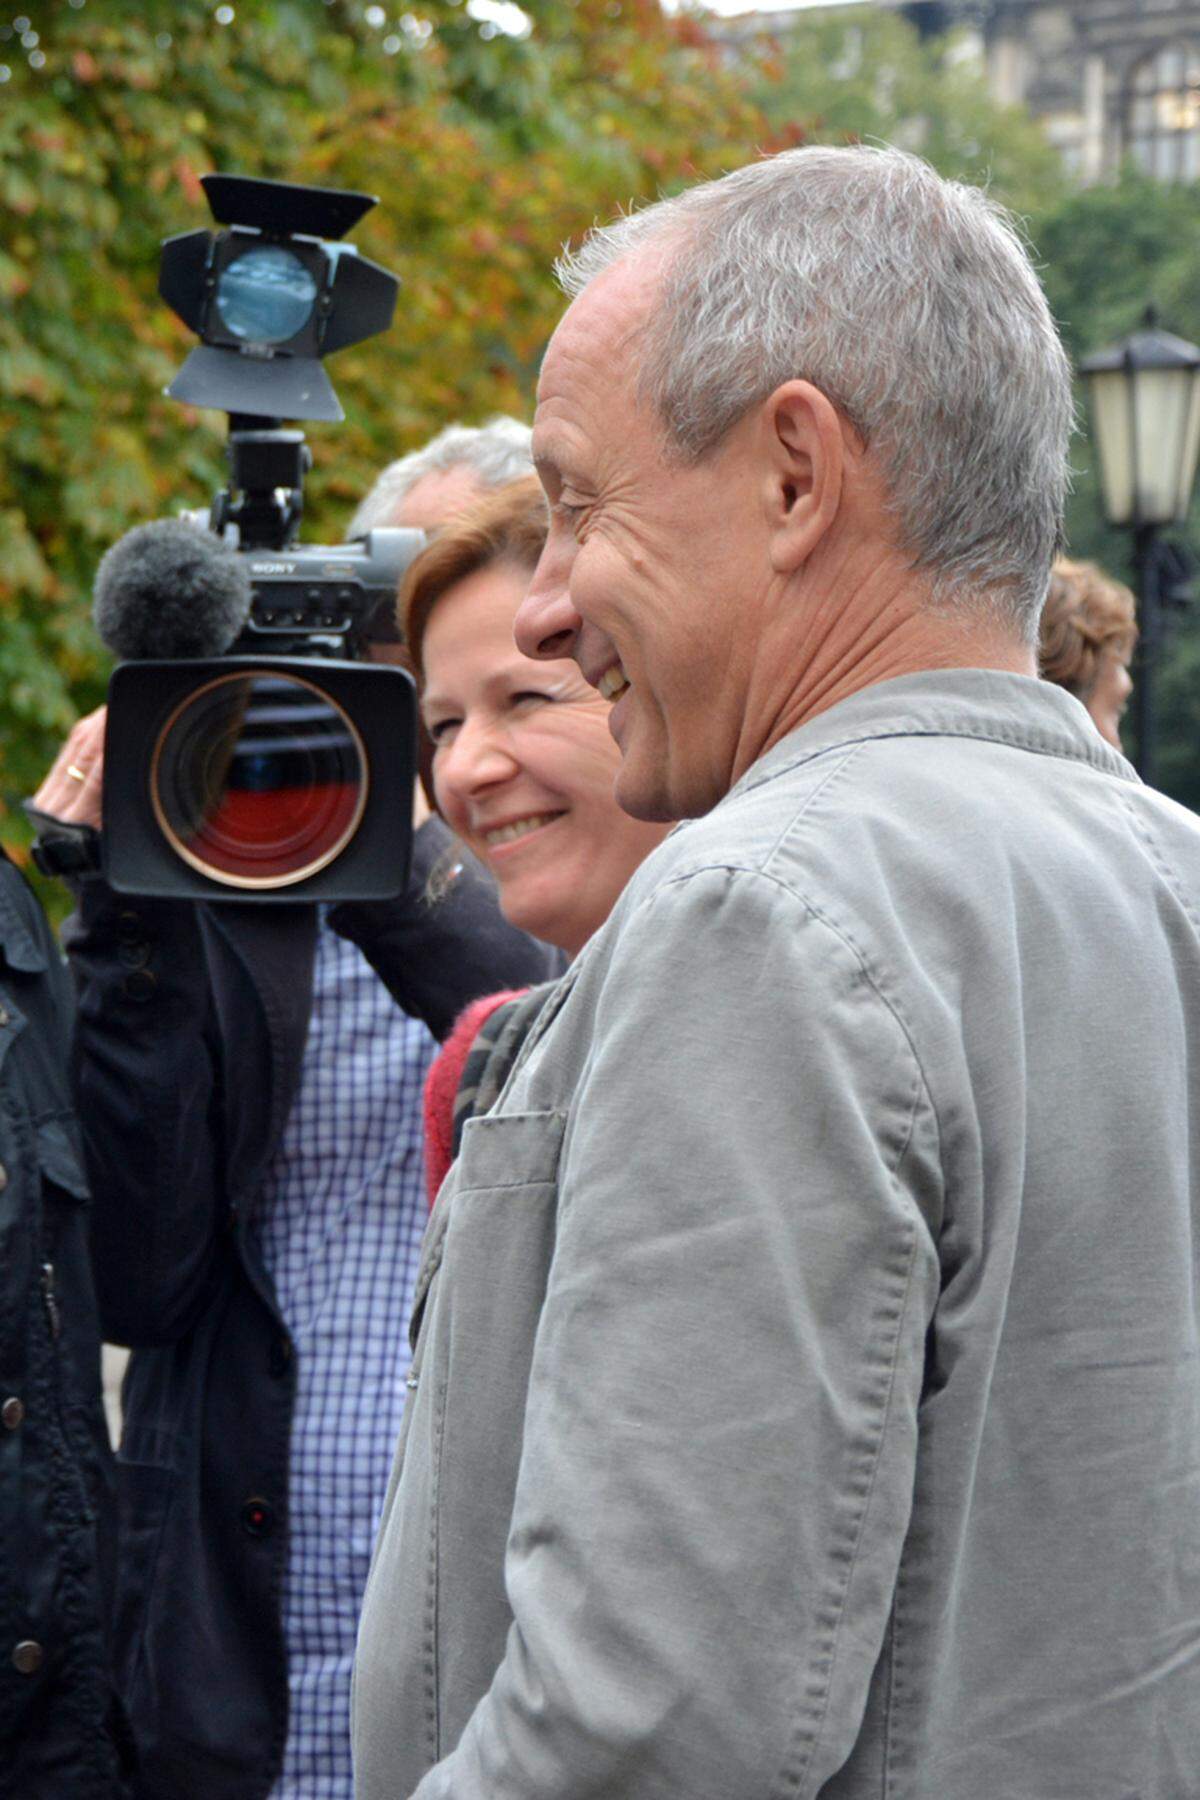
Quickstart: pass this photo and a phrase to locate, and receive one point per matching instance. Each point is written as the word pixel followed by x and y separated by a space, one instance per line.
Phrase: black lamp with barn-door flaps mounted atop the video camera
pixel 271 294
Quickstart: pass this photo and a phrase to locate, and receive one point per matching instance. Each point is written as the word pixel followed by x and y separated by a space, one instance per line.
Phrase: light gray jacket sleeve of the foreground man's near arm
pixel 721 1430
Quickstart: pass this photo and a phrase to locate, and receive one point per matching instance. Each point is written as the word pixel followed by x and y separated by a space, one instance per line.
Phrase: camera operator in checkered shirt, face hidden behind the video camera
pixel 253 1124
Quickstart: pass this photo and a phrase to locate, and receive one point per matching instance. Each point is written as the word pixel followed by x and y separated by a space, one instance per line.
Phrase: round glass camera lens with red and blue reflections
pixel 258 780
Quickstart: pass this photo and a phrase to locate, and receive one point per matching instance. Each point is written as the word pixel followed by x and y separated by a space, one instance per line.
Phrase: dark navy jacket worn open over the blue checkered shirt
pixel 190 1043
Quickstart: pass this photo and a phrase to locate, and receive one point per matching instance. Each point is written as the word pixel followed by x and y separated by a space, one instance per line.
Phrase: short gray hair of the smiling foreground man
pixel 913 305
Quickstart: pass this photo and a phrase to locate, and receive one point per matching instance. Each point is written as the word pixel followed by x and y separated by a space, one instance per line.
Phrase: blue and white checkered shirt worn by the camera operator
pixel 341 1225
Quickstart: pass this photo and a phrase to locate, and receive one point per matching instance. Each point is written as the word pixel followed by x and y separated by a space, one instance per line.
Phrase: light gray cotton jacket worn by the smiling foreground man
pixel 807 1396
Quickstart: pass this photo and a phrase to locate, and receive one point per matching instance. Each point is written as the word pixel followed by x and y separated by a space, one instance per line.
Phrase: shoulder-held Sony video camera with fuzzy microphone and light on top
pixel 251 751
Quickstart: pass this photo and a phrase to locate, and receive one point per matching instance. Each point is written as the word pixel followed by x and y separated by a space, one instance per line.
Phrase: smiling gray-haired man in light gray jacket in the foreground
pixel 807 1369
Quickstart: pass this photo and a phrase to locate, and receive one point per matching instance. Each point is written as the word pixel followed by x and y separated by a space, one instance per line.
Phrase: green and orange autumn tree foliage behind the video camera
pixel 487 150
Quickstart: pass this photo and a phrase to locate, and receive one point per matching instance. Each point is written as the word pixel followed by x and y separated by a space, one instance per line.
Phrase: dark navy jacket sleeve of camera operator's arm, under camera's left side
pixel 147 1077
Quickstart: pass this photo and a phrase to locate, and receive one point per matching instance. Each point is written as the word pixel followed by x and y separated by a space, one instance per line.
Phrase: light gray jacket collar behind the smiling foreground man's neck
pixel 987 705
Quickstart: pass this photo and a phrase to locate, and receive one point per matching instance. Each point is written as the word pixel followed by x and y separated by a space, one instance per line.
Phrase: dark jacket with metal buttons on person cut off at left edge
pixel 57 1698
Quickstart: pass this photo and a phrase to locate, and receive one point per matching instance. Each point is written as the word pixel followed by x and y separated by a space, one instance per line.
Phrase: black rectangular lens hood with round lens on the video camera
pixel 253 780
